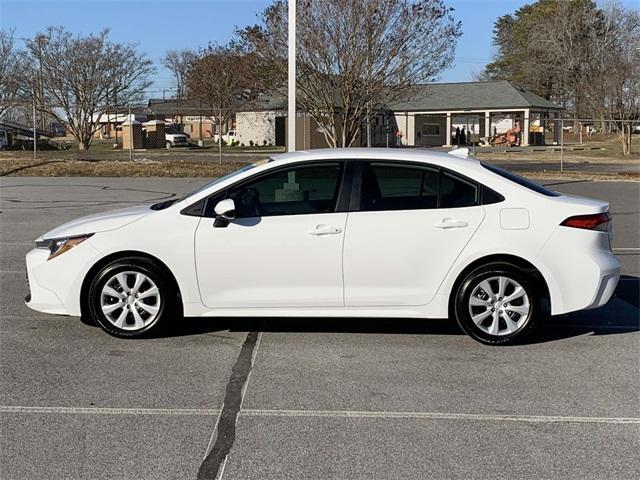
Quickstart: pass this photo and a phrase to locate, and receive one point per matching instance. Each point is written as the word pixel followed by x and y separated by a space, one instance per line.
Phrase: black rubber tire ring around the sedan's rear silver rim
pixel 461 308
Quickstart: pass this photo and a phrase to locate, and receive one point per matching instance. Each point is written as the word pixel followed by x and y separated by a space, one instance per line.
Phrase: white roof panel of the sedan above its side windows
pixel 386 154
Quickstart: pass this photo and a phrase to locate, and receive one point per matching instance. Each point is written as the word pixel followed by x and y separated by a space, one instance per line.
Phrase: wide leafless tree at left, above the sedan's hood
pixel 79 75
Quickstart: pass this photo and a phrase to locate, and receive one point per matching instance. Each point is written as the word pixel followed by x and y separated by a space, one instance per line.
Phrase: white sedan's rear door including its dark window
pixel 408 224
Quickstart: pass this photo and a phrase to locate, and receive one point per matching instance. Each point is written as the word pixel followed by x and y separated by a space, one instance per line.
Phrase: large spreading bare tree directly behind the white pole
pixel 355 56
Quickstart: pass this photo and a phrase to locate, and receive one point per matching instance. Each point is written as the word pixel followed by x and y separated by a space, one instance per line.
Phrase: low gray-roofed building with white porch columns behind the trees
pixel 434 114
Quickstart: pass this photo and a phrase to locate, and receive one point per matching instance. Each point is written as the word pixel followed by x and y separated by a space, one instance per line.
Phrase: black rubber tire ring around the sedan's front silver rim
pixel 135 265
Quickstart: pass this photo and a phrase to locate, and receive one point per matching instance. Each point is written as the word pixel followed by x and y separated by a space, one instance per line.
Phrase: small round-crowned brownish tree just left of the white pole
pixel 220 80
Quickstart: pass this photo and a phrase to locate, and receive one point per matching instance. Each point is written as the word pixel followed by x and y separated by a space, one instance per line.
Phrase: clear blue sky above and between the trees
pixel 160 25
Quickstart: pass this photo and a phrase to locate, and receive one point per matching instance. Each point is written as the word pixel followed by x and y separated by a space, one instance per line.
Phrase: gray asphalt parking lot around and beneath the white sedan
pixel 301 398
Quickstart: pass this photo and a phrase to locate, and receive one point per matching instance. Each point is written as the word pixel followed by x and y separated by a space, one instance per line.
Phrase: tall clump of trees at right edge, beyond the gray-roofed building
pixel 584 56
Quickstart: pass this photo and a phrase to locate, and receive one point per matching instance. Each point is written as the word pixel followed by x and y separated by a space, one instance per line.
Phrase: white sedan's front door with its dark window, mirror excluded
pixel 285 247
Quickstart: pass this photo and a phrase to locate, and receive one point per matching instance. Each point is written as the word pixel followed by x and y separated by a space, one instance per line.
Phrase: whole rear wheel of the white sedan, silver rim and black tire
pixel 479 303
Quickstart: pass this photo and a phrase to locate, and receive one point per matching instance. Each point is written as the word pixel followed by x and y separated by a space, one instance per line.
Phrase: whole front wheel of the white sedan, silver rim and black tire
pixel 115 307
